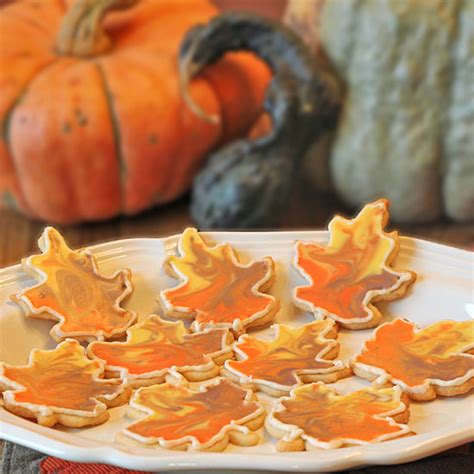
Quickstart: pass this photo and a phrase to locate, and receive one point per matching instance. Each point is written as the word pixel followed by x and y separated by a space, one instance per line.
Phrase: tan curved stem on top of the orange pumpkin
pixel 82 33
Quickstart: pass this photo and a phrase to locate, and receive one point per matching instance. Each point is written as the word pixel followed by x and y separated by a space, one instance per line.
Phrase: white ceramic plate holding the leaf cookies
pixel 444 289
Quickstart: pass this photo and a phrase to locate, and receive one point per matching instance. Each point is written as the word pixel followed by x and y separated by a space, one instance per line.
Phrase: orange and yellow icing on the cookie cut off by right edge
pixel 414 357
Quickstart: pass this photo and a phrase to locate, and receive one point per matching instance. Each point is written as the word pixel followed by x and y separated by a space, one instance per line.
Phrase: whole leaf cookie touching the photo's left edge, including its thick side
pixel 61 386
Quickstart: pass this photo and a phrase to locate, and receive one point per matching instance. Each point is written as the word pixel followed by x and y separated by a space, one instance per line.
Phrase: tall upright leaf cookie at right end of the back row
pixel 353 271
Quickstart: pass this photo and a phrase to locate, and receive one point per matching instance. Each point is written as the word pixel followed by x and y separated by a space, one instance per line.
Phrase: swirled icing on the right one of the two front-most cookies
pixel 327 417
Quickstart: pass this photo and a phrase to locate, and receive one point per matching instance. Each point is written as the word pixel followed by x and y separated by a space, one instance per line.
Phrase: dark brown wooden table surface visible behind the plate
pixel 307 210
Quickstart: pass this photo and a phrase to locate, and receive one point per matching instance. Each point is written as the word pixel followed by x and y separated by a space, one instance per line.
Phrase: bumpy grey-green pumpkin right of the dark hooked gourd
pixel 406 131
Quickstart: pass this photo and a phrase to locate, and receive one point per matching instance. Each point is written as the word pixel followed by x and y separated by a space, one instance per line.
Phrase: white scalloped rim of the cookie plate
pixel 51 442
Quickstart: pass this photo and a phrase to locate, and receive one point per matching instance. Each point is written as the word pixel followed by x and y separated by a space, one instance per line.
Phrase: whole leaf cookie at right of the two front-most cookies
pixel 316 416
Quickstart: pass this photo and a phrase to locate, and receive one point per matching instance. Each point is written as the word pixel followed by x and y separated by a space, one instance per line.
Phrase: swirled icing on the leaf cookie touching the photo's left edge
pixel 63 378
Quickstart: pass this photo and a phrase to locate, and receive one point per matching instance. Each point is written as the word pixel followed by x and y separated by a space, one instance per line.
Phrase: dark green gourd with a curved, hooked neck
pixel 246 183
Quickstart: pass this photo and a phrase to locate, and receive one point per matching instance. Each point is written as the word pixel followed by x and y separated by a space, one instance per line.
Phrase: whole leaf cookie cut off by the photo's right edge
pixel 424 363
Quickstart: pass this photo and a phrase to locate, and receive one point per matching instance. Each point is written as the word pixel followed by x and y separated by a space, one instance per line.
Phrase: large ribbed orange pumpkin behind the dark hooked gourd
pixel 93 123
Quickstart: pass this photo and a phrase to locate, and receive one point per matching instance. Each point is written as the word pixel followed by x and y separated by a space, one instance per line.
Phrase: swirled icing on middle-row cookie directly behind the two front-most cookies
pixel 293 351
